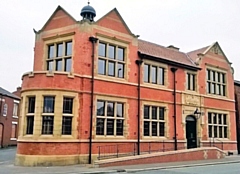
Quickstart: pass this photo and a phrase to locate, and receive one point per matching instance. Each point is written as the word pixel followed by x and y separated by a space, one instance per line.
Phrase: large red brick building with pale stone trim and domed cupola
pixel 97 84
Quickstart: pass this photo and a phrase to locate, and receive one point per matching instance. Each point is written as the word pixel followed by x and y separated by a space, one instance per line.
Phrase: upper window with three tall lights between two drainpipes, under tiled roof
pixel 153 74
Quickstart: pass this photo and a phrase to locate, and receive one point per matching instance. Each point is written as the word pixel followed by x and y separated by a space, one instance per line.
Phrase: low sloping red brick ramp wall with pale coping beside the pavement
pixel 163 157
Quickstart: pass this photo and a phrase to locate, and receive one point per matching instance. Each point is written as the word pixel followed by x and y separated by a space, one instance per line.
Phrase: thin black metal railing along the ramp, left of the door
pixel 130 149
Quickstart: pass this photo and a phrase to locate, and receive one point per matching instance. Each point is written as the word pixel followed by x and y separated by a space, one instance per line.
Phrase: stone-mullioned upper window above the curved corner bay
pixel 59 56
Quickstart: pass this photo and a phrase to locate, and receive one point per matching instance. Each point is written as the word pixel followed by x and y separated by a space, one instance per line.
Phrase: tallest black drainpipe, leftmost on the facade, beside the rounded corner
pixel 93 40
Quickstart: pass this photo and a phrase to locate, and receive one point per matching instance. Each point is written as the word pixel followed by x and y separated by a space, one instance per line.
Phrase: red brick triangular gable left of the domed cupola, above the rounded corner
pixel 60 18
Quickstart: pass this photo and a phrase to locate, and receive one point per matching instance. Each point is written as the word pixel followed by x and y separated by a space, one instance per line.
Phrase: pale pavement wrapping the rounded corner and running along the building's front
pixel 7 166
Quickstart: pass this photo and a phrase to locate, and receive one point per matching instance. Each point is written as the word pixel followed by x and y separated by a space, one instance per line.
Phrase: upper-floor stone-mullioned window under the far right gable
pixel 216 82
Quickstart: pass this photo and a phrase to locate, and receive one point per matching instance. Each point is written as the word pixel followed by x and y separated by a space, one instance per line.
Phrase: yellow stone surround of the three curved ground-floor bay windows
pixel 39 94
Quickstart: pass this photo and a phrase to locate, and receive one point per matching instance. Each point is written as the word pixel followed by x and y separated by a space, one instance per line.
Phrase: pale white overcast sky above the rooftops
pixel 187 24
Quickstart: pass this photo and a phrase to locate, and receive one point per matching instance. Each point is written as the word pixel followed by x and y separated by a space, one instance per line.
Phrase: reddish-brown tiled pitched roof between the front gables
pixel 158 51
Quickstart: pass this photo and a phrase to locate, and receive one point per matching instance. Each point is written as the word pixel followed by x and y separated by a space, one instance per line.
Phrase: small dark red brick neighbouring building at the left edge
pixel 9 104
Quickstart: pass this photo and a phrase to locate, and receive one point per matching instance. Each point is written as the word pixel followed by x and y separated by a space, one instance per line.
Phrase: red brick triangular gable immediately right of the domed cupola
pixel 114 21
